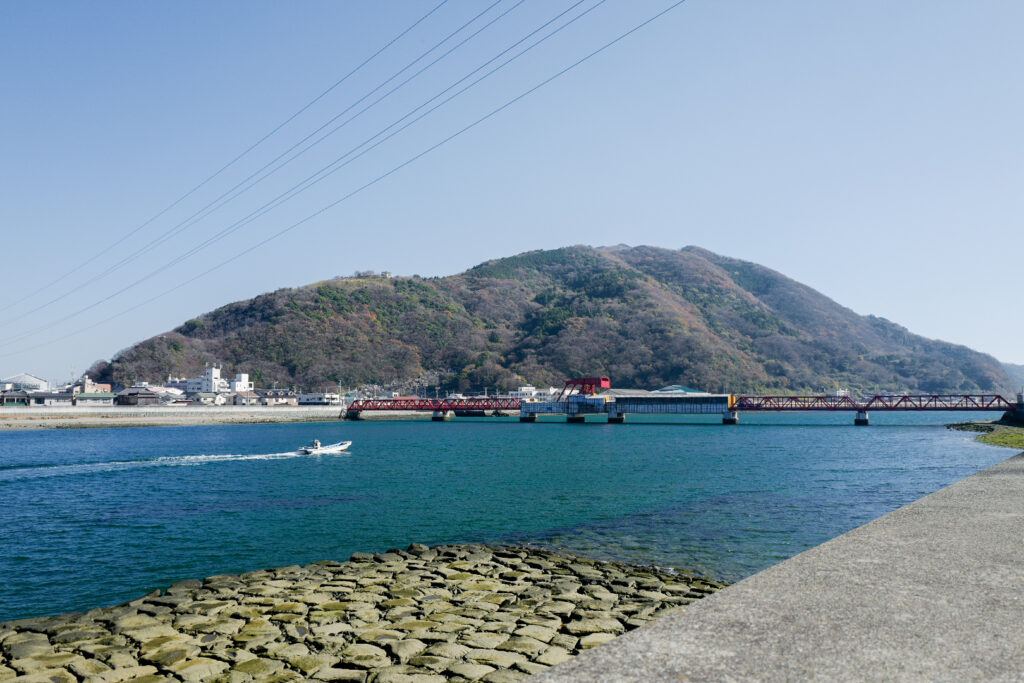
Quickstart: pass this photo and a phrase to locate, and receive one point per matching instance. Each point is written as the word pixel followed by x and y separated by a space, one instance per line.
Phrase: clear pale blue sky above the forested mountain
pixel 872 151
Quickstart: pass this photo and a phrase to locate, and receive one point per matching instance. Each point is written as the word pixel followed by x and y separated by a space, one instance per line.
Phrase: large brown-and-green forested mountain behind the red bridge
pixel 645 317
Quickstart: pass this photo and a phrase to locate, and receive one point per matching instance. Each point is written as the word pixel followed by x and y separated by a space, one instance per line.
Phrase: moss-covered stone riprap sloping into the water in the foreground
pixel 419 616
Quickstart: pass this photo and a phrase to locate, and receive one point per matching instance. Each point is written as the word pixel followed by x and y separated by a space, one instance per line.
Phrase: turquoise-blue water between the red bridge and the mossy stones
pixel 100 517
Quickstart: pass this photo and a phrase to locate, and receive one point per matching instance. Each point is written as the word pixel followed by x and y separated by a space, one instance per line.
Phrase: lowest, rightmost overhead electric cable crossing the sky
pixel 369 185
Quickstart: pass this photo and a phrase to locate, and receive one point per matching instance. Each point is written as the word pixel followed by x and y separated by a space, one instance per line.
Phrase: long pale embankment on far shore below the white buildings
pixel 79 417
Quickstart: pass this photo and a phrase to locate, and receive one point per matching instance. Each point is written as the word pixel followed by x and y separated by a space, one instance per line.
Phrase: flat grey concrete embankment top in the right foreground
pixel 933 591
